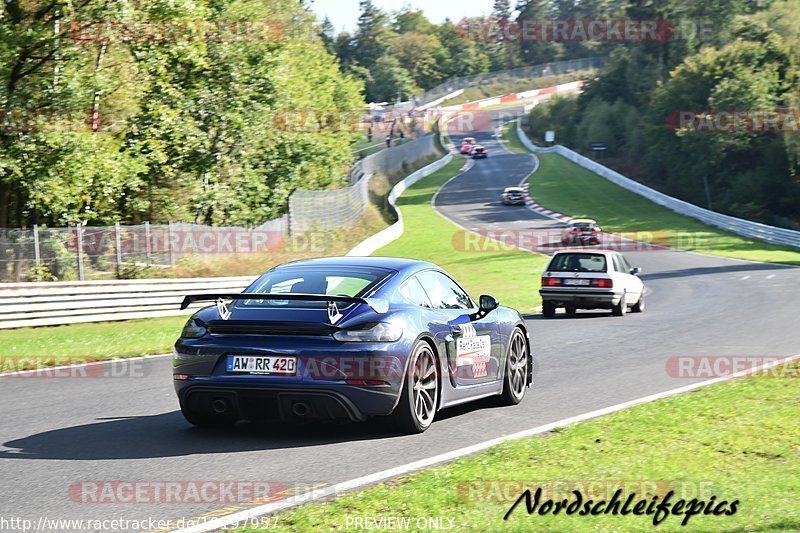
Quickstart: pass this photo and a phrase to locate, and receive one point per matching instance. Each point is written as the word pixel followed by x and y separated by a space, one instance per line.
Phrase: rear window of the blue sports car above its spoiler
pixel 340 281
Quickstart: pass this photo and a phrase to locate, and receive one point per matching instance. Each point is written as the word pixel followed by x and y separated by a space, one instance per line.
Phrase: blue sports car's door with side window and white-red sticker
pixel 473 347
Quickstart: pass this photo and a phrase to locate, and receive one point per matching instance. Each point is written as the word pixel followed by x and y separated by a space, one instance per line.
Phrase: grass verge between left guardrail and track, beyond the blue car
pixel 510 275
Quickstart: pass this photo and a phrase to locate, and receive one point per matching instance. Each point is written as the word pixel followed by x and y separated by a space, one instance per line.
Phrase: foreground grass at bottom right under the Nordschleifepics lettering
pixel 736 440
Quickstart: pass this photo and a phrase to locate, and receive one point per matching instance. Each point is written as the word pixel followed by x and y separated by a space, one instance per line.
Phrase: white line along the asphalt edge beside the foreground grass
pixel 242 517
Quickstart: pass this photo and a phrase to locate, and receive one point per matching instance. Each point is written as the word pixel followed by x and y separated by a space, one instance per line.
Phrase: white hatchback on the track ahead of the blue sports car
pixel 601 279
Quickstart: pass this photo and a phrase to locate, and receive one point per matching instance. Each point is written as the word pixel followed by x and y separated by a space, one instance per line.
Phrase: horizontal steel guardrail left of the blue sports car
pixel 64 302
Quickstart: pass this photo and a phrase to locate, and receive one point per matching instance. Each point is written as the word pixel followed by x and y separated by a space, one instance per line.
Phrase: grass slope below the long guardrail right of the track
pixel 563 186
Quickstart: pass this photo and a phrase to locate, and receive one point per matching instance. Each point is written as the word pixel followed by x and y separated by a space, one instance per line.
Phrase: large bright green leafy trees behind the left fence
pixel 131 110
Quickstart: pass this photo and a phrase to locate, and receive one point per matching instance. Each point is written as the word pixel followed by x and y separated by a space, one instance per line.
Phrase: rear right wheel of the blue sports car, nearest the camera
pixel 417 406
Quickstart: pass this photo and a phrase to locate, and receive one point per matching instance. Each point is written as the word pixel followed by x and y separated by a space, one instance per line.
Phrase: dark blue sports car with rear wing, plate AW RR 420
pixel 348 338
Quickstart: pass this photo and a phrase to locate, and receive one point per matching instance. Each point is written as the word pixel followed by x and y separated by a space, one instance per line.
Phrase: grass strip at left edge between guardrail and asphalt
pixel 96 341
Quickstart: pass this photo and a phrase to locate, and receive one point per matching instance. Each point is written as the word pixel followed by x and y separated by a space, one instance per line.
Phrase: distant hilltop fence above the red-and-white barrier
pixel 502 76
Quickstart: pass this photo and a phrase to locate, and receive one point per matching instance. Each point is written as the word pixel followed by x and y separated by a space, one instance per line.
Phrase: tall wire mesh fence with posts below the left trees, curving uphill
pixel 83 252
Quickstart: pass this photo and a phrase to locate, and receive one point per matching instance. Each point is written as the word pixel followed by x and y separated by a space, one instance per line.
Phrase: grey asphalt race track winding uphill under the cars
pixel 57 432
